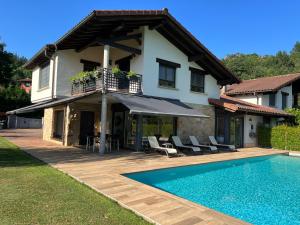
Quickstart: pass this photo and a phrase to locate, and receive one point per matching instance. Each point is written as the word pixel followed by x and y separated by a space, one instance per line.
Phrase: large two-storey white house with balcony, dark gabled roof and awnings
pixel 145 75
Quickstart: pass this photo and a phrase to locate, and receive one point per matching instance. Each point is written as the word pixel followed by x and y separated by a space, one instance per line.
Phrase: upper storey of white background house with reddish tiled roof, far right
pixel 278 91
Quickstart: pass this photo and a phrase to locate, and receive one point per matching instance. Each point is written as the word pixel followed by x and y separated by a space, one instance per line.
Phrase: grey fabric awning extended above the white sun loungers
pixel 149 105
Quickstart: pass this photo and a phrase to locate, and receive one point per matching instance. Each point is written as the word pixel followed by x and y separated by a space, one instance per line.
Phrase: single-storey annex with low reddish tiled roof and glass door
pixel 237 120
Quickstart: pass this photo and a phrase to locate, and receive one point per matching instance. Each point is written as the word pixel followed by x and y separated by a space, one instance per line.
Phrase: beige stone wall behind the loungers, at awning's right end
pixel 199 127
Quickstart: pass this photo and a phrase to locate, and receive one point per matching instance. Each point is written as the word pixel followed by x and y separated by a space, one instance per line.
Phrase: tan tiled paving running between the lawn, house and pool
pixel 103 174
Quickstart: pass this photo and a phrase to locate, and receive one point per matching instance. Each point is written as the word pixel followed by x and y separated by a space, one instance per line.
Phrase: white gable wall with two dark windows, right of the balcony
pixel 156 46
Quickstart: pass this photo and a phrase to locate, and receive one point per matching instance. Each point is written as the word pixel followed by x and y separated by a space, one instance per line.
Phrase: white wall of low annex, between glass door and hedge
pixel 255 120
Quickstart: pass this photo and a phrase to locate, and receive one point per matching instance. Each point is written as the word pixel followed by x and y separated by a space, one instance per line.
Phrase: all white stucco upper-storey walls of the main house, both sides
pixel 153 46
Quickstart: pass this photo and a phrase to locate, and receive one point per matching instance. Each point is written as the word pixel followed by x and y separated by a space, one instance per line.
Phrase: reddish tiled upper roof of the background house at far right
pixel 264 84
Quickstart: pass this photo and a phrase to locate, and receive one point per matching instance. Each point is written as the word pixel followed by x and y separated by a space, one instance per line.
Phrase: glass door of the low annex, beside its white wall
pixel 236 131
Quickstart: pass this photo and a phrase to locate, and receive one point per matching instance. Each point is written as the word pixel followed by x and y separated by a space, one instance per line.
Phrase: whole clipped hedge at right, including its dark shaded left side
pixel 279 137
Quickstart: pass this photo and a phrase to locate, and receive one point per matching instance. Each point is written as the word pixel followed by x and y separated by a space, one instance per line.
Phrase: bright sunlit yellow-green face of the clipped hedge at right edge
pixel 286 137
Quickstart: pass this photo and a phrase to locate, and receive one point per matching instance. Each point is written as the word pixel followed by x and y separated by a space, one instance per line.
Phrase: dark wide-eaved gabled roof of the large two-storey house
pixel 101 23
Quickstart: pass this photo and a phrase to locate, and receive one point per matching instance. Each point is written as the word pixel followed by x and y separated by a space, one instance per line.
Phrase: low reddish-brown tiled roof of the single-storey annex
pixel 233 105
